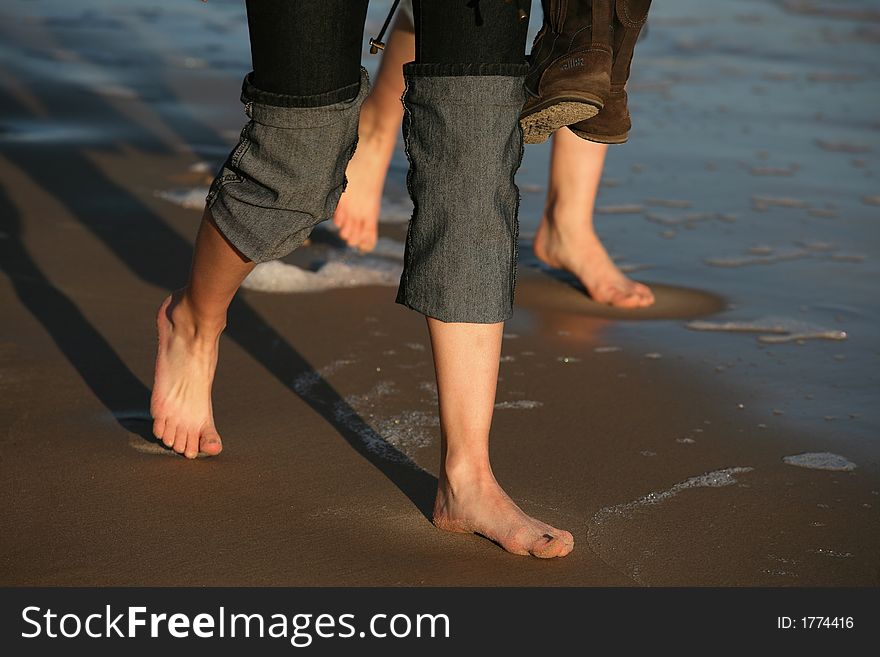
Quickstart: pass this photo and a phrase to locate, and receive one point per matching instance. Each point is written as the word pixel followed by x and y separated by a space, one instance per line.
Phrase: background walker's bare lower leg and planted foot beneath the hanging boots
pixel 566 238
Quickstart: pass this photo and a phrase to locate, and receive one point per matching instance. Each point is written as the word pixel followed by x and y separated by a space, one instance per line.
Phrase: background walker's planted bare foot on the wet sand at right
pixel 579 251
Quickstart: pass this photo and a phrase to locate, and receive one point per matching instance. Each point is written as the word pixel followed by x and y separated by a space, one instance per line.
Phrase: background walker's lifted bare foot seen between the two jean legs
pixel 357 214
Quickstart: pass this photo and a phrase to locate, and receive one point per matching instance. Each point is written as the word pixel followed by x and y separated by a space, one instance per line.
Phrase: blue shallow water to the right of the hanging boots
pixel 759 117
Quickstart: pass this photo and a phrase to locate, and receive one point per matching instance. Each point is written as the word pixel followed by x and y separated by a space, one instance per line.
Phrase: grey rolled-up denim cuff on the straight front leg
pixel 464 145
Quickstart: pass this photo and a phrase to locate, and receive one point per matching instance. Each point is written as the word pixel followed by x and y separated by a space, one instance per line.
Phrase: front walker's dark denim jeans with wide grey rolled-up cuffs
pixel 464 93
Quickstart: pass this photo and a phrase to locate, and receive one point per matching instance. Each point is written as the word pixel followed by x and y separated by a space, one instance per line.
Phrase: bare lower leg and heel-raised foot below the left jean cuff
pixel 189 324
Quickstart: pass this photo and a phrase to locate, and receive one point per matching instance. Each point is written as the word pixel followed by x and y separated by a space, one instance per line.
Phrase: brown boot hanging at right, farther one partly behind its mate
pixel 612 124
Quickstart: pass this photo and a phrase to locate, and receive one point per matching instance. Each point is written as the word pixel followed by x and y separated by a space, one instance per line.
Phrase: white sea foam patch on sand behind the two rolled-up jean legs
pixel 338 272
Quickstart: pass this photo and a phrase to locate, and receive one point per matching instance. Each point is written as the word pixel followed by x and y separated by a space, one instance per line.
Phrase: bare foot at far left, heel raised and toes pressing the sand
pixel 183 418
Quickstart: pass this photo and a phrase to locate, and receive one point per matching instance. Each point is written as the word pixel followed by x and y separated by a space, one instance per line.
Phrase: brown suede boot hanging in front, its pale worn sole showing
pixel 570 74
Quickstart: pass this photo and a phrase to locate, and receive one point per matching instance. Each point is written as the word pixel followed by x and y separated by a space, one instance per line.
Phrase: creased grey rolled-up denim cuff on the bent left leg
pixel 285 175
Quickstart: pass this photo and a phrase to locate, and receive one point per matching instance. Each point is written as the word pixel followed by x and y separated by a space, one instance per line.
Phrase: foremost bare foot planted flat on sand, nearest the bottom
pixel 478 505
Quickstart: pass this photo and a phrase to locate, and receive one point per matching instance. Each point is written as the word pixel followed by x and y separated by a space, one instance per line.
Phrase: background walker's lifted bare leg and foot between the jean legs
pixel 357 214
